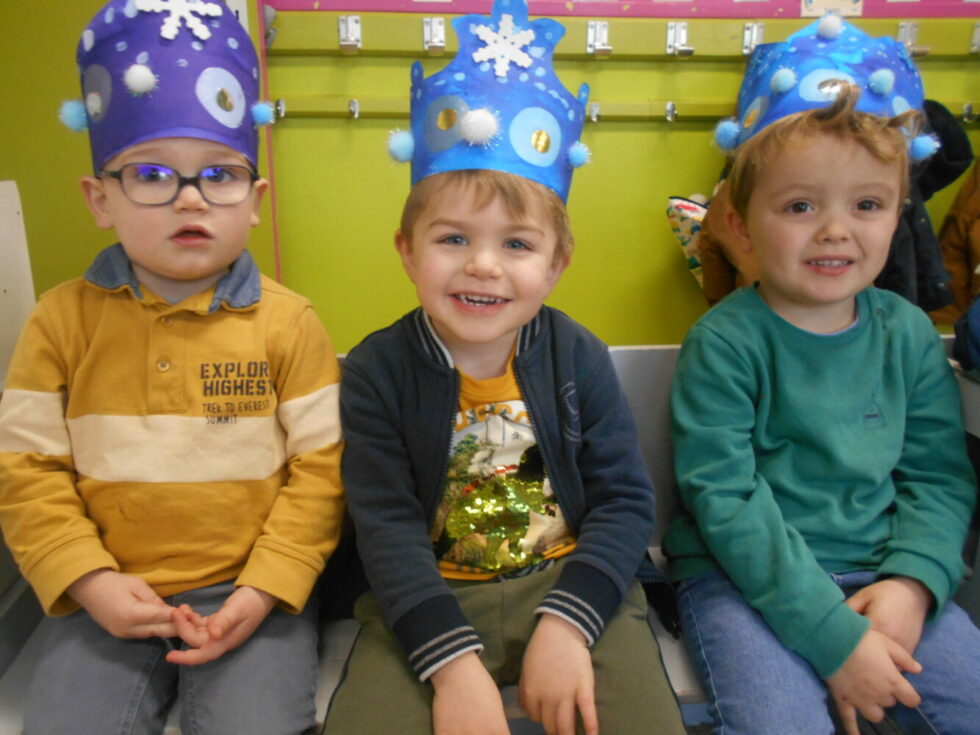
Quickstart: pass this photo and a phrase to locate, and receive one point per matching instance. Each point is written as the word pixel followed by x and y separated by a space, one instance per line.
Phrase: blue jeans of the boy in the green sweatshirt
pixel 756 686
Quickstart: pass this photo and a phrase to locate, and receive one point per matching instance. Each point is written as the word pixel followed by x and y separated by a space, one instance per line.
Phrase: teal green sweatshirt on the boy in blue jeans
pixel 799 454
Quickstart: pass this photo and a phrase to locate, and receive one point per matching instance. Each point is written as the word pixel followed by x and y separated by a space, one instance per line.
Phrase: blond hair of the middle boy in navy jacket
pixel 518 195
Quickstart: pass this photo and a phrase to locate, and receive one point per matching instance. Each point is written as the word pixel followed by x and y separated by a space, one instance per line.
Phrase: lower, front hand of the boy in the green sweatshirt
pixel 871 680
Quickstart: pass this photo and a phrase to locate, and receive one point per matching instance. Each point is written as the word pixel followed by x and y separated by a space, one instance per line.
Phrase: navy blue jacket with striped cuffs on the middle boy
pixel 399 398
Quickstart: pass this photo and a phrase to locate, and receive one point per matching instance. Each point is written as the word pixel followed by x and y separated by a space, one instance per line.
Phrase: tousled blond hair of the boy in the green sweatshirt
pixel 883 137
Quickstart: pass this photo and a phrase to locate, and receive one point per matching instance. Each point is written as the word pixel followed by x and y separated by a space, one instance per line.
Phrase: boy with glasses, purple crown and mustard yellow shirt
pixel 169 433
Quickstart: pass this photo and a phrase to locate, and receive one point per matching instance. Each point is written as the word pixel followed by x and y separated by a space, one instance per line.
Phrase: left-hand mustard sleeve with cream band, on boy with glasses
pixel 44 521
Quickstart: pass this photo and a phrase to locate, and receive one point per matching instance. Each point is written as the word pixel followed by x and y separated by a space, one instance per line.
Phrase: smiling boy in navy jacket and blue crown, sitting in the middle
pixel 491 465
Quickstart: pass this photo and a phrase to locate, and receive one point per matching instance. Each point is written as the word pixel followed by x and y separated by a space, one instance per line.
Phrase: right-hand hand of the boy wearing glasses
pixel 211 637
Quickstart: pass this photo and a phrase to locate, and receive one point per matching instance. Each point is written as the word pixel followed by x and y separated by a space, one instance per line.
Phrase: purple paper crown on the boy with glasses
pixel 167 69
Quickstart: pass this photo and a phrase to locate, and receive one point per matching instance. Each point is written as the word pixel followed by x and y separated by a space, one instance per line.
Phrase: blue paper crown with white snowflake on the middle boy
pixel 497 105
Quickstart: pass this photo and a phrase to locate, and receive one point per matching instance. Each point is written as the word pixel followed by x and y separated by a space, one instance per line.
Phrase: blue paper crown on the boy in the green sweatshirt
pixel 804 71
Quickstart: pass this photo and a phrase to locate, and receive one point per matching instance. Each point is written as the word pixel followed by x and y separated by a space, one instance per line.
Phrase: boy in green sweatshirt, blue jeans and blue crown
pixel 819 447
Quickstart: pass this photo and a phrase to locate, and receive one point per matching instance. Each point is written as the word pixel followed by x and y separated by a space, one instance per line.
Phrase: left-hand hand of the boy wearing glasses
pixel 126 606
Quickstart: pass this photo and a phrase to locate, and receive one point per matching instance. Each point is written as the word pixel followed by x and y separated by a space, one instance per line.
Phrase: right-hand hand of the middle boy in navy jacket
pixel 557 678
